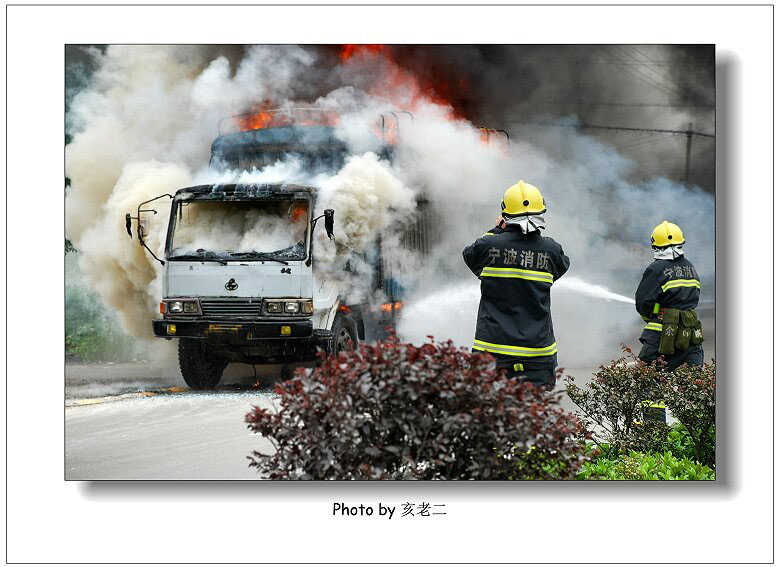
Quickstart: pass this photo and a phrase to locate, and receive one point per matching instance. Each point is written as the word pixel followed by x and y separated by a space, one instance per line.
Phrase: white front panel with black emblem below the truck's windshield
pixel 249 279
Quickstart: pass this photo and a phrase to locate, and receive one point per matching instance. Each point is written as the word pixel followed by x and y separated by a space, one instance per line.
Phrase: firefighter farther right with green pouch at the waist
pixel 666 299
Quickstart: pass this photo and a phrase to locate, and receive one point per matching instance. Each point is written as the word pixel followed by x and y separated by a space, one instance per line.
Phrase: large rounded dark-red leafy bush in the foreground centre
pixel 391 410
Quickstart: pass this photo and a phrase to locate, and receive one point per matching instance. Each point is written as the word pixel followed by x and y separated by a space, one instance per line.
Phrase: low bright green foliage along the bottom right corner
pixel 645 466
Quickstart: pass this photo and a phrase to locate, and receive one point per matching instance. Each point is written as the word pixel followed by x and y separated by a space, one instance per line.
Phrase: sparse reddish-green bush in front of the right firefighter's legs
pixel 611 405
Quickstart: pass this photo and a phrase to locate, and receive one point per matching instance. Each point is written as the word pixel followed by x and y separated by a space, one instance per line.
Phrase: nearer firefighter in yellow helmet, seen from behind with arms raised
pixel 517 267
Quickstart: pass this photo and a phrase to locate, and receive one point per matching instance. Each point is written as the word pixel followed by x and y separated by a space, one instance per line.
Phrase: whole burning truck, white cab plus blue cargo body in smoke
pixel 239 282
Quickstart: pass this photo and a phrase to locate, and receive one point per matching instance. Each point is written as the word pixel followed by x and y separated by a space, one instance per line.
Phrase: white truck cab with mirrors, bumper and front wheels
pixel 238 283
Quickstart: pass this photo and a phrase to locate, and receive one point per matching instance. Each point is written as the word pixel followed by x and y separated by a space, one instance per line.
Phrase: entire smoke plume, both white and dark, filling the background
pixel 143 121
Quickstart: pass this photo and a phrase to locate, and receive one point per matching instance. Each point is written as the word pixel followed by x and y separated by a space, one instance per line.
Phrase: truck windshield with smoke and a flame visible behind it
pixel 249 230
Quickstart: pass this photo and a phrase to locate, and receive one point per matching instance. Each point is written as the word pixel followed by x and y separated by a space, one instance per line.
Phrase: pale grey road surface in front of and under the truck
pixel 138 421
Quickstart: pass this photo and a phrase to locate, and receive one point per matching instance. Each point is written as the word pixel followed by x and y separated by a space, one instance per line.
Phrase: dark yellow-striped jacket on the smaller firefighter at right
pixel 668 283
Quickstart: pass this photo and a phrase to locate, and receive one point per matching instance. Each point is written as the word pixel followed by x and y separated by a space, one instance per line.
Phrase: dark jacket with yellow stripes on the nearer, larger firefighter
pixel 517 271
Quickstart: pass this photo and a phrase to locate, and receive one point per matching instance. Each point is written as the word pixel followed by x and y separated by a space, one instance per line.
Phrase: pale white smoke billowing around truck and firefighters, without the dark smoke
pixel 145 124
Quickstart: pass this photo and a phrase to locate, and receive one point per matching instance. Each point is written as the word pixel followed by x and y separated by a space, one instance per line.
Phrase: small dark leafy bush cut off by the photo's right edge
pixel 689 393
